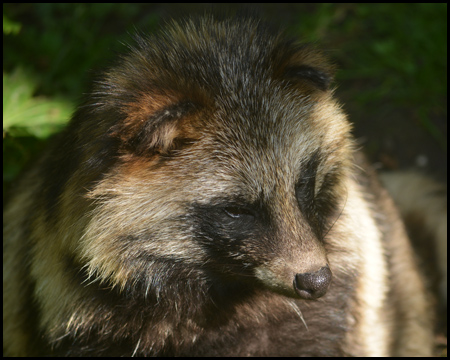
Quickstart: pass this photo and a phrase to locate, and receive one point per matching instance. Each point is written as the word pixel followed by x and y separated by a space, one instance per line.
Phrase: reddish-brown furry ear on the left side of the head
pixel 156 125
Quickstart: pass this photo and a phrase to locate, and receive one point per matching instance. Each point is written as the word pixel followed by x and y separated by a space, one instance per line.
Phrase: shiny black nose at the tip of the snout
pixel 313 285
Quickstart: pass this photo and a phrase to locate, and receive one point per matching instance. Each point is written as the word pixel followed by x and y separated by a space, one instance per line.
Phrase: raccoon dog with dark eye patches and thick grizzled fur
pixel 206 199
